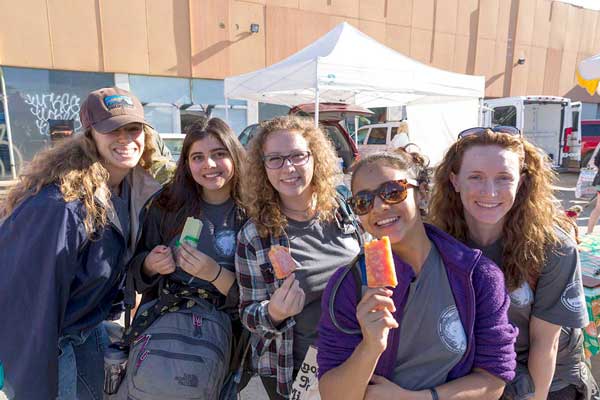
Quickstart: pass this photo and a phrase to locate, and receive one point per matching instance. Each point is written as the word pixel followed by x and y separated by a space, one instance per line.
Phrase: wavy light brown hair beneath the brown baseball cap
pixel 74 165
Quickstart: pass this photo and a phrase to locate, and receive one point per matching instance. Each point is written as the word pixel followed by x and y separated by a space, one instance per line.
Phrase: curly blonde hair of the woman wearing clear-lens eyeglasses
pixel 262 200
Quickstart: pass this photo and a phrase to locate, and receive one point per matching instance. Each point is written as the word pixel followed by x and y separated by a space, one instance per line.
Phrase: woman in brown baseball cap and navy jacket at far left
pixel 69 227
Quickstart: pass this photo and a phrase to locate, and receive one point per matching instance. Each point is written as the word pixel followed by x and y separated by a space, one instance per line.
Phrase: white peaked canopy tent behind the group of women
pixel 347 66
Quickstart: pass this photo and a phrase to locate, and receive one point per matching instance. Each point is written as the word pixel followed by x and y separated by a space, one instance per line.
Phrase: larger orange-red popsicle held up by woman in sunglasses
pixel 380 264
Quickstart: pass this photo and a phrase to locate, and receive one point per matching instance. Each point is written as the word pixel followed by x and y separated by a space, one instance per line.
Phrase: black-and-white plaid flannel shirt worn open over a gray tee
pixel 272 346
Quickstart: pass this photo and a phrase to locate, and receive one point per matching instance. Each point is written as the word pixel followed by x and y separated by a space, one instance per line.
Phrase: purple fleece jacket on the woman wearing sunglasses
pixel 460 262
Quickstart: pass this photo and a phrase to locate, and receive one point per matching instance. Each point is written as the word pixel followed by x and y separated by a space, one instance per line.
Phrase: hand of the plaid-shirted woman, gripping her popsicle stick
pixel 286 301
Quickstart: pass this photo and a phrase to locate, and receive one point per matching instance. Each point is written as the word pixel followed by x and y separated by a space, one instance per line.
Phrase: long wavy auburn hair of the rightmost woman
pixel 531 222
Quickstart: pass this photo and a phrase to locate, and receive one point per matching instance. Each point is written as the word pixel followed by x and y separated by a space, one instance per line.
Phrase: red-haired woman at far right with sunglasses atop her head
pixel 493 191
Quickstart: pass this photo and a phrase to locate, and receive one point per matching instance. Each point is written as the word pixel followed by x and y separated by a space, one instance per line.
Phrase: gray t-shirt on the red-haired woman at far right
pixel 558 299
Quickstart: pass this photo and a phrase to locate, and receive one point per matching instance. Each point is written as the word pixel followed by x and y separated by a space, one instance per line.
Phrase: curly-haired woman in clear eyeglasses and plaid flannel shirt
pixel 292 202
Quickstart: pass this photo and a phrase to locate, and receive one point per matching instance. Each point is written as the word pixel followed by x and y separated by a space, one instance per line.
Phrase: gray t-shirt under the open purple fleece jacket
pixel 432 338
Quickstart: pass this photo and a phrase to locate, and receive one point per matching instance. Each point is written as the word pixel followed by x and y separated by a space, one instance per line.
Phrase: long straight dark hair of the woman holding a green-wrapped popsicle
pixel 182 195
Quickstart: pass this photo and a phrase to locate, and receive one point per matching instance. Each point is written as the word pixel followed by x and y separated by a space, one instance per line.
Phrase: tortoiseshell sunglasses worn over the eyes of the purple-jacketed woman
pixel 391 192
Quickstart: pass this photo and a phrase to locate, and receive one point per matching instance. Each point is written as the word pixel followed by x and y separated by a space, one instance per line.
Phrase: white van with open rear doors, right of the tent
pixel 546 121
